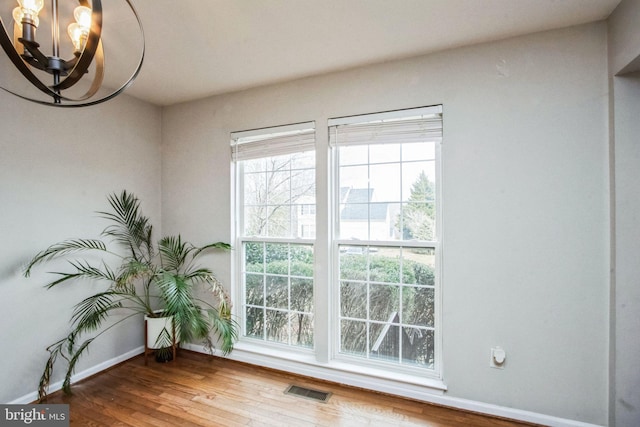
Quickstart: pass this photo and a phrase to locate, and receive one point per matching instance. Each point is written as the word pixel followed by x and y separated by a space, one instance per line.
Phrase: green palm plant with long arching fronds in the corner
pixel 145 281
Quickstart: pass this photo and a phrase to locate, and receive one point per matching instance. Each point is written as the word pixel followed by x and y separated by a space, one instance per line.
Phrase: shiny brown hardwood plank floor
pixel 200 390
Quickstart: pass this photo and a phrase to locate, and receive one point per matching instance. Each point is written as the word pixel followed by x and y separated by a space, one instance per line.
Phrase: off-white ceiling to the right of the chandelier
pixel 197 48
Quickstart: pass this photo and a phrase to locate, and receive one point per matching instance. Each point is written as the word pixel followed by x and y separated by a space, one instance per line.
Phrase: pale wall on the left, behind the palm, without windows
pixel 56 169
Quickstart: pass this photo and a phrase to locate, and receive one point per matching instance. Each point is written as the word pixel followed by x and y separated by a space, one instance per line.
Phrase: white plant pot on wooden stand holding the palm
pixel 160 337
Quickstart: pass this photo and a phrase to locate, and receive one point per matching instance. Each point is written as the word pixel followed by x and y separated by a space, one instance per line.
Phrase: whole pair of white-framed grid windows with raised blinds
pixel 366 291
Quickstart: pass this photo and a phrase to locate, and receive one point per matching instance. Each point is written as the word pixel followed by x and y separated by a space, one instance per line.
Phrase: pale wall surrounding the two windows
pixel 525 201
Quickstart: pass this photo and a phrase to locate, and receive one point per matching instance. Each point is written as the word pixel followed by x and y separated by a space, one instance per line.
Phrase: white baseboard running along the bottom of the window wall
pixel 402 389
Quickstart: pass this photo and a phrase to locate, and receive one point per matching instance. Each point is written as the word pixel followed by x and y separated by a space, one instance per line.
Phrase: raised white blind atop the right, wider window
pixel 415 125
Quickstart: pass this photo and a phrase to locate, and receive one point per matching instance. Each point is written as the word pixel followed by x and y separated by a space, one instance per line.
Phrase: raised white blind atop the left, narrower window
pixel 275 141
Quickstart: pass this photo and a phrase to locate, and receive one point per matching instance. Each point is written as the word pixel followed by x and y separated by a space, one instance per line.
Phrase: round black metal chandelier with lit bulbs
pixel 79 80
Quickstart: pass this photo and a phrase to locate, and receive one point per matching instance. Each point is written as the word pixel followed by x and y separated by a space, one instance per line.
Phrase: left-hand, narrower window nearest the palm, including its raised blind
pixel 275 182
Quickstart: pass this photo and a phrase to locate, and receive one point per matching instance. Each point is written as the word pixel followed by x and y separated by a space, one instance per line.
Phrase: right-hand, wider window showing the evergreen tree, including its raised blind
pixel 386 237
